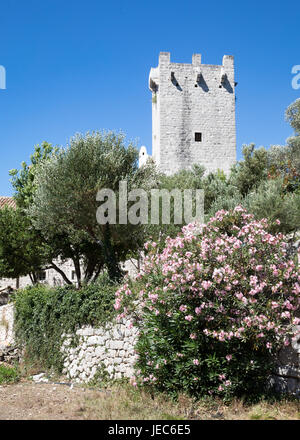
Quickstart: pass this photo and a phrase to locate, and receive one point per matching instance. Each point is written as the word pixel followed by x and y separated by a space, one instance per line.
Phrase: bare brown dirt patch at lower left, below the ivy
pixel 31 401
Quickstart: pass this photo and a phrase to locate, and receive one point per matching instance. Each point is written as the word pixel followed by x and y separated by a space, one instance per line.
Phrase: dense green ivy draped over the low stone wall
pixel 44 315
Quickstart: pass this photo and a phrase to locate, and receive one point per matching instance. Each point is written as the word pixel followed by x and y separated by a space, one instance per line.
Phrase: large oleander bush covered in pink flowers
pixel 214 307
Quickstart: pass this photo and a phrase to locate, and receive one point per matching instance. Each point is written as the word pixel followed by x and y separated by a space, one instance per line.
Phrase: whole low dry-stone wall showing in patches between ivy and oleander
pixel 110 349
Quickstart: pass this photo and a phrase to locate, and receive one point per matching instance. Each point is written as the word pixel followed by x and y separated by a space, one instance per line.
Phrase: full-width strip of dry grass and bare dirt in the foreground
pixel 29 401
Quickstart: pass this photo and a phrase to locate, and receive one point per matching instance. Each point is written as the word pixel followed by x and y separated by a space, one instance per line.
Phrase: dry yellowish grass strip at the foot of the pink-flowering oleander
pixel 123 402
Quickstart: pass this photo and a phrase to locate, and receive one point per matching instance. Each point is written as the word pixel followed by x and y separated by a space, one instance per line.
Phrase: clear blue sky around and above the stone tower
pixel 74 66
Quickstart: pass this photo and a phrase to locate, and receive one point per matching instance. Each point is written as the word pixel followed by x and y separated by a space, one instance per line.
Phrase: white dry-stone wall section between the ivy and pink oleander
pixel 109 349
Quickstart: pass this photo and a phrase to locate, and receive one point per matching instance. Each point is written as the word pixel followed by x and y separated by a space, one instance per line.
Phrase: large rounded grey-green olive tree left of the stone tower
pixel 65 198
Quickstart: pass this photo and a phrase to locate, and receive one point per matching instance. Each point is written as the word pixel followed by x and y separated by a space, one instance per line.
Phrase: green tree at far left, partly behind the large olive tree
pixel 23 250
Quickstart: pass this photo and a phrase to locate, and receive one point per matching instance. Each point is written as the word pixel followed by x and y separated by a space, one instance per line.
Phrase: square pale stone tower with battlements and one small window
pixel 193 114
